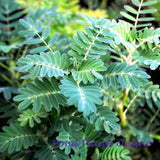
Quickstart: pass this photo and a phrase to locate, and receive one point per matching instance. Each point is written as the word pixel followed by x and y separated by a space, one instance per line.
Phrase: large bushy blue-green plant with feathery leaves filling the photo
pixel 69 82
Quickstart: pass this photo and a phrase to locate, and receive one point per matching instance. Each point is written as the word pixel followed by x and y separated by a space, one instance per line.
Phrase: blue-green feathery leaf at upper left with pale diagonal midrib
pixel 38 35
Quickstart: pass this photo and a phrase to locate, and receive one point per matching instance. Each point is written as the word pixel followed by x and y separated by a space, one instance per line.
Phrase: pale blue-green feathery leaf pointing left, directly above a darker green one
pixel 45 64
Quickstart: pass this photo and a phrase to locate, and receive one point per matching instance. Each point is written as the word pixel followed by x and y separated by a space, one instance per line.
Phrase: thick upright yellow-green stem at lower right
pixel 121 113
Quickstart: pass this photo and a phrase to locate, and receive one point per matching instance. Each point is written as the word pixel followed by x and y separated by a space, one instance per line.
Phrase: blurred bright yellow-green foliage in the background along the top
pixel 66 20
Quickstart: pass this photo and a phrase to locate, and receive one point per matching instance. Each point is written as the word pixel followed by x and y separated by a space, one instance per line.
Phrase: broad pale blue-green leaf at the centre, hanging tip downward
pixel 83 96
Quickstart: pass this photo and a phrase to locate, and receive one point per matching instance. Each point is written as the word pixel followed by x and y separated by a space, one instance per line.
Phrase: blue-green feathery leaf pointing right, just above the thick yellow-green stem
pixel 121 75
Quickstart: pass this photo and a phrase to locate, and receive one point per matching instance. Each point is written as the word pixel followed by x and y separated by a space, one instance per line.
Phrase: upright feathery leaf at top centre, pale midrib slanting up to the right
pixel 95 40
